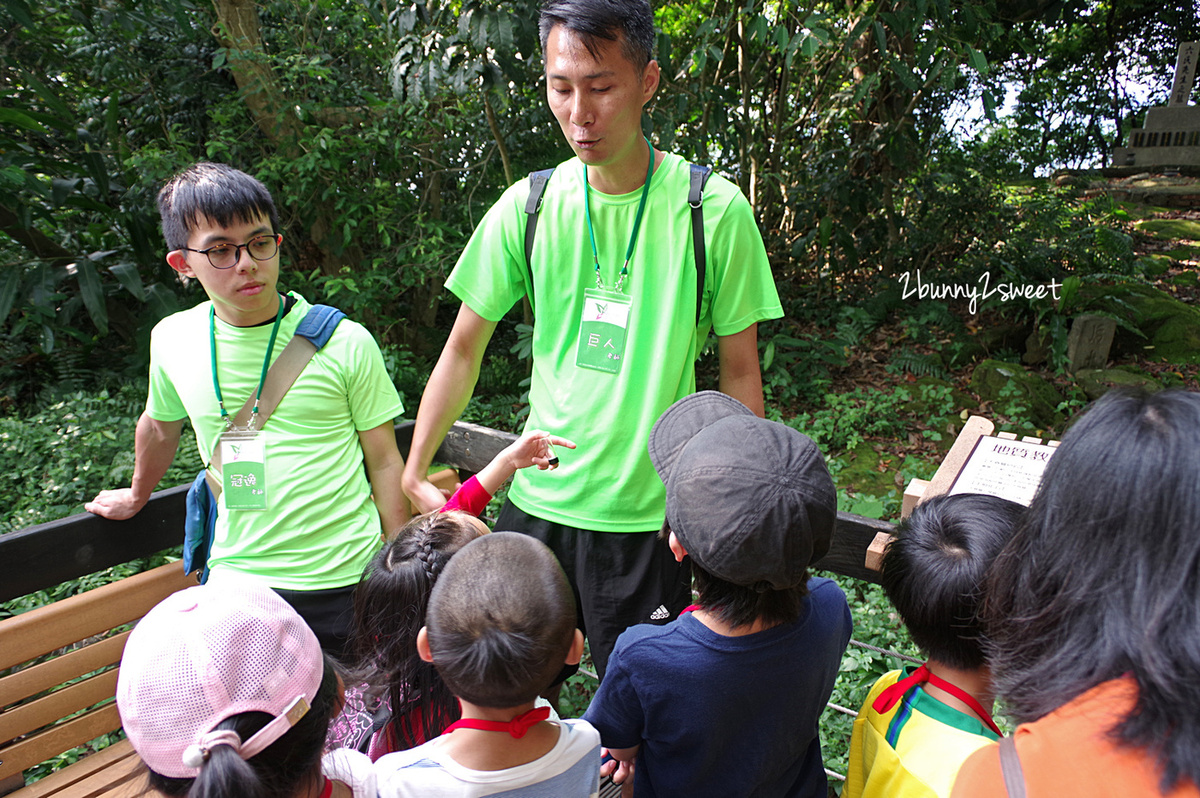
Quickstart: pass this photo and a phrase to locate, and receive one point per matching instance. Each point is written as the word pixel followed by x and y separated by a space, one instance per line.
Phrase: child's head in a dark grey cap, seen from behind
pixel 751 501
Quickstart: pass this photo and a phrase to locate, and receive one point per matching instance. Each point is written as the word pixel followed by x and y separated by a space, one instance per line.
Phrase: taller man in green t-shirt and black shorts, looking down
pixel 613 280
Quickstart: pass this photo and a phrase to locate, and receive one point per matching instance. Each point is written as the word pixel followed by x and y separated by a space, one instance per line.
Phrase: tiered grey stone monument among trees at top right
pixel 1172 134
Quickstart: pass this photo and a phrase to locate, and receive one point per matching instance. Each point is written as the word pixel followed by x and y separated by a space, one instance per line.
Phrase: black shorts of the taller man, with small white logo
pixel 620 579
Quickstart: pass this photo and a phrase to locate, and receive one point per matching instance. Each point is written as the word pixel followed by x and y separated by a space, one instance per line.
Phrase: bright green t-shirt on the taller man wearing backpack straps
pixel 609 484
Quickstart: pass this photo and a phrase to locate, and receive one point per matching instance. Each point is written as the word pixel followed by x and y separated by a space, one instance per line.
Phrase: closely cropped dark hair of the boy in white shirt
pixel 501 621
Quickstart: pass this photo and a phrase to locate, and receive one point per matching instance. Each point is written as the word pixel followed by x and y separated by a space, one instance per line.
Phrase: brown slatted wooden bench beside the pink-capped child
pixel 51 706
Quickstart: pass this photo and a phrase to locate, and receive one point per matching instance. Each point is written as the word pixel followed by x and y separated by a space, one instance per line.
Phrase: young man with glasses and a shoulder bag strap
pixel 315 526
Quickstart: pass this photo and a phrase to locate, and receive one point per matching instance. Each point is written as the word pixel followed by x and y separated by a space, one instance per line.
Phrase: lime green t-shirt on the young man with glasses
pixel 321 526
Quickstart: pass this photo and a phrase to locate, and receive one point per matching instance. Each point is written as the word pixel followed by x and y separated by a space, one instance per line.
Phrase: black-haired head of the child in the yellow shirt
pixel 934 572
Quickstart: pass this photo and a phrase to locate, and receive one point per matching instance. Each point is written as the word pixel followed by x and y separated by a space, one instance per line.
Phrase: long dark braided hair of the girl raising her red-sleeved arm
pixel 389 610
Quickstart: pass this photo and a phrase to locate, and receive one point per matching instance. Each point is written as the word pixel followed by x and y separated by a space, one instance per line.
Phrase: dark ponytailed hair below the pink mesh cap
pixel 280 771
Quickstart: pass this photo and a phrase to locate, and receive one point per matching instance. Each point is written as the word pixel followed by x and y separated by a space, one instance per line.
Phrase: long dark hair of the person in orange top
pixel 1101 580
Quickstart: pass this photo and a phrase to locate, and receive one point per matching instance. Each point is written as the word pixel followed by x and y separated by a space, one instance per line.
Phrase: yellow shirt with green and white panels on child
pixel 914 751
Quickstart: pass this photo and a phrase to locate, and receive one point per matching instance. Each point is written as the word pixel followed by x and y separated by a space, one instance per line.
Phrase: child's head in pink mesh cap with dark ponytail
pixel 224 691
